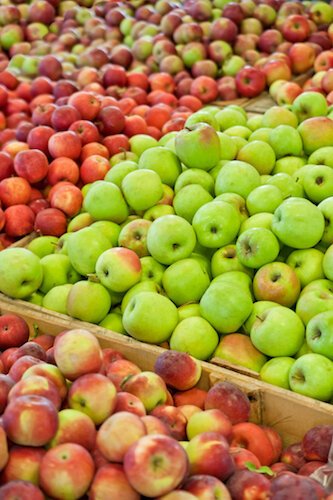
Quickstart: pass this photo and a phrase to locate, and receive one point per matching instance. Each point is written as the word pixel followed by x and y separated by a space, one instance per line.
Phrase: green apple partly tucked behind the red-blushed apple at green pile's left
pixel 84 247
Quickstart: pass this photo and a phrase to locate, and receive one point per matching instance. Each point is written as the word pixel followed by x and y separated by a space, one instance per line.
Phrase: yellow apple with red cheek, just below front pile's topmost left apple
pixel 93 394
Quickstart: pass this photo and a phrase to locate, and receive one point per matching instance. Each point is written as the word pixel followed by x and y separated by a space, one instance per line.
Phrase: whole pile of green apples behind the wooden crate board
pixel 218 241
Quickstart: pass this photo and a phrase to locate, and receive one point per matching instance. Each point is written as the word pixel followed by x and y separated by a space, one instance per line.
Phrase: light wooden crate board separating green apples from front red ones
pixel 289 413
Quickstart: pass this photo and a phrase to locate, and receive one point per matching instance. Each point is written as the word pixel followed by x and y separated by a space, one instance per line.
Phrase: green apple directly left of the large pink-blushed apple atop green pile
pixel 163 161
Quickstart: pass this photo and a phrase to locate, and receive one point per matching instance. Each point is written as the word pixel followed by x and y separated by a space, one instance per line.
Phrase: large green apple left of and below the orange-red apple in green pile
pixel 226 306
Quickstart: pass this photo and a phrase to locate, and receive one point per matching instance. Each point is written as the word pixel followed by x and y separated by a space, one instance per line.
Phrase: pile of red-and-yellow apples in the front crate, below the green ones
pixel 68 405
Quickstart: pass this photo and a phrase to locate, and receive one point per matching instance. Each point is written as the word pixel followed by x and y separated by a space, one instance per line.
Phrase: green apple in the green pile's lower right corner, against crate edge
pixel 312 376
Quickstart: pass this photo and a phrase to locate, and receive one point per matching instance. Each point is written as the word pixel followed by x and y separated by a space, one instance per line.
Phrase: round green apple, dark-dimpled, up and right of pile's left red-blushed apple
pixel 170 238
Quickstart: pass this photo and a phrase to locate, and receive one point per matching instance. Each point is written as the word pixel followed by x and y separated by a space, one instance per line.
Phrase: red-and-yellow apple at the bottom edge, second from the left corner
pixel 64 461
